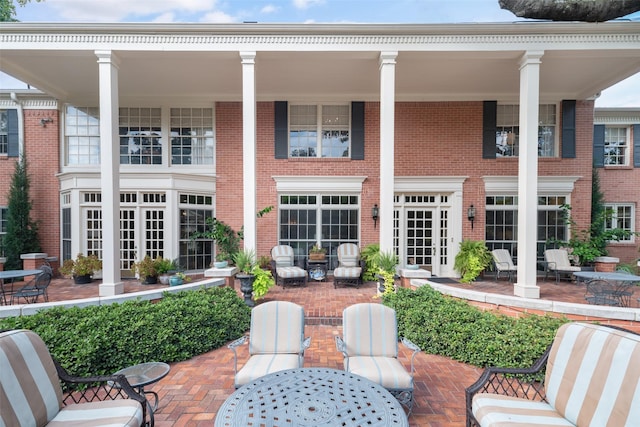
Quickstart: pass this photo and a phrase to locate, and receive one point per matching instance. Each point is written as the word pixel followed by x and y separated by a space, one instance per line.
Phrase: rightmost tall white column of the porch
pixel 526 285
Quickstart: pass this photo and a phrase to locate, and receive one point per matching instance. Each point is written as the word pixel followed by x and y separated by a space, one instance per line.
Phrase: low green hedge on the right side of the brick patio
pixel 450 327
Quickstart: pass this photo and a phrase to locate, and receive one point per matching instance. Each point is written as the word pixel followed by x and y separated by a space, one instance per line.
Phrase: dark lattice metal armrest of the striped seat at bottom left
pixel 100 387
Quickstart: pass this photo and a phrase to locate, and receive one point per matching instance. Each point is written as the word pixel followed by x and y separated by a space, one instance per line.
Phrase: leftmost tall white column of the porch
pixel 109 173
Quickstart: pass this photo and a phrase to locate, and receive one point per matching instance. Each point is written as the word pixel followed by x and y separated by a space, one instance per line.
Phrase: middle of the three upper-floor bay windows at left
pixel 140 136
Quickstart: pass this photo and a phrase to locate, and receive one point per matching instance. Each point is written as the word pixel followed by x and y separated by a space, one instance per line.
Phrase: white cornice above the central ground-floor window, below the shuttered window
pixel 307 184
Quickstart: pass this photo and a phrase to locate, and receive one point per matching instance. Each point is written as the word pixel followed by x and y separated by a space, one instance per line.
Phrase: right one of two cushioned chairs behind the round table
pixel 370 349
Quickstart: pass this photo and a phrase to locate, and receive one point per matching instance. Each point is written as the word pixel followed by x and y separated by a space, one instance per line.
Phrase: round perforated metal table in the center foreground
pixel 311 397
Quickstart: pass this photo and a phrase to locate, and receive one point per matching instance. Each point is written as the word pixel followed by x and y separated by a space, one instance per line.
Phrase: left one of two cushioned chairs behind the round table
pixel 276 341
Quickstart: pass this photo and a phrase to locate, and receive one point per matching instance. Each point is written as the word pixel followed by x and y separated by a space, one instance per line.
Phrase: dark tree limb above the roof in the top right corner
pixel 571 10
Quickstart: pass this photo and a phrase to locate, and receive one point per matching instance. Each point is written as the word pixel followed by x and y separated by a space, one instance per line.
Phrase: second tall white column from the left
pixel 249 148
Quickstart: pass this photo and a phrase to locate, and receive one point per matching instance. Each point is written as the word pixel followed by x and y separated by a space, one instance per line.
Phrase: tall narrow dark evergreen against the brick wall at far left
pixel 22 232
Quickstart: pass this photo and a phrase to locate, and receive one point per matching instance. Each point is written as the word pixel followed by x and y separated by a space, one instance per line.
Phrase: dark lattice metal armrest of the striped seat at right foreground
pixel 517 382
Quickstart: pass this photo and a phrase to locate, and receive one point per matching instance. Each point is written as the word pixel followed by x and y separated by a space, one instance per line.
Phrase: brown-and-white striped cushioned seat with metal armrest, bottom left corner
pixel 31 390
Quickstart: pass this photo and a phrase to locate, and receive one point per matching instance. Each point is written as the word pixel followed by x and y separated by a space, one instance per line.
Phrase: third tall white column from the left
pixel 387 130
